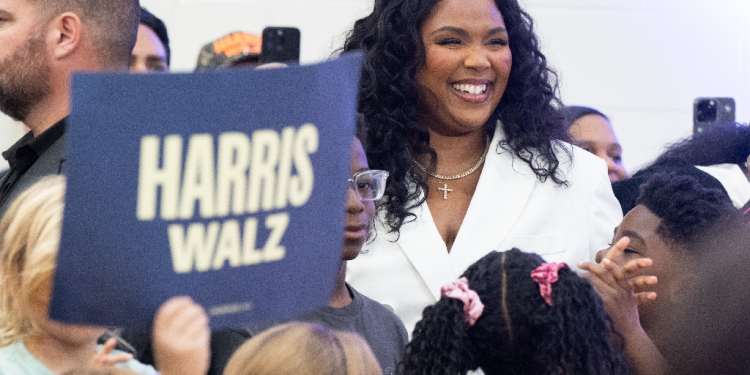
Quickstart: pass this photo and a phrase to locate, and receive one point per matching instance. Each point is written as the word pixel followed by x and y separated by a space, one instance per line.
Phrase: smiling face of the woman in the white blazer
pixel 467 65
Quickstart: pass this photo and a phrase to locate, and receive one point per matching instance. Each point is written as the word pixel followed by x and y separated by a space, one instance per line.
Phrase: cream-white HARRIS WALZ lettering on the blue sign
pixel 247 174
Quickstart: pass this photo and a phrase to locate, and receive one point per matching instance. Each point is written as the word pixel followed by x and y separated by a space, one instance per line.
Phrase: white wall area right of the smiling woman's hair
pixel 643 62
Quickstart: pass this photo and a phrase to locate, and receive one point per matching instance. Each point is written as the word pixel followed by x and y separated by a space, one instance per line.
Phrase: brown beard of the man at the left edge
pixel 24 78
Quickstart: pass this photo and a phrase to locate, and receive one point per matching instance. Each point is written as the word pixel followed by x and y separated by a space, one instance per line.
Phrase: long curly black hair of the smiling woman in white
pixel 389 99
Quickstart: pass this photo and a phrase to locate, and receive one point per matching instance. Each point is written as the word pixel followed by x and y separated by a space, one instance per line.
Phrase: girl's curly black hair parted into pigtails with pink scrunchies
pixel 518 333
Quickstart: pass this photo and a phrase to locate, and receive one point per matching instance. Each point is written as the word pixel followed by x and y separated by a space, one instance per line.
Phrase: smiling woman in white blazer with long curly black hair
pixel 461 109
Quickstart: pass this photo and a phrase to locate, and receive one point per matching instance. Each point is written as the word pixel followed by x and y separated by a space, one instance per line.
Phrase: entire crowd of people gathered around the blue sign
pixel 489 227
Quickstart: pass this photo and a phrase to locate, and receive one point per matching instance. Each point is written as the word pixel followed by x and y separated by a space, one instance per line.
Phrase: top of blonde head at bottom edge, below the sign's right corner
pixel 306 349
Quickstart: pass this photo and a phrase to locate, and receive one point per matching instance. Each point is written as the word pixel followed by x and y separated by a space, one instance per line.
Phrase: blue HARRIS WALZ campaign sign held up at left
pixel 227 186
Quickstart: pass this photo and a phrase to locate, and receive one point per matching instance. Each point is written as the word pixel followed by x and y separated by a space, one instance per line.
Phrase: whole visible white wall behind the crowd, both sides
pixel 641 62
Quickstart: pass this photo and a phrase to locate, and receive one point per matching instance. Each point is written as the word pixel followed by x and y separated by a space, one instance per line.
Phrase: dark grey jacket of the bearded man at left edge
pixel 49 163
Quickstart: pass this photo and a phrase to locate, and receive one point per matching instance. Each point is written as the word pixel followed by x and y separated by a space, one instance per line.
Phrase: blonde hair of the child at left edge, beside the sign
pixel 30 239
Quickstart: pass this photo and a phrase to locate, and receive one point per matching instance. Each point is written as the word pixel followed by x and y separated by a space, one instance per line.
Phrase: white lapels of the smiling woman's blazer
pixel 503 189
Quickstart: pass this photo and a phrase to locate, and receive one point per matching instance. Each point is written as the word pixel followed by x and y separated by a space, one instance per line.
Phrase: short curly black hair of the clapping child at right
pixel 687 208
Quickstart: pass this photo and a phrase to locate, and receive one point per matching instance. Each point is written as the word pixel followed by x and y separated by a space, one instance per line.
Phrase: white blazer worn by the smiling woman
pixel 510 208
